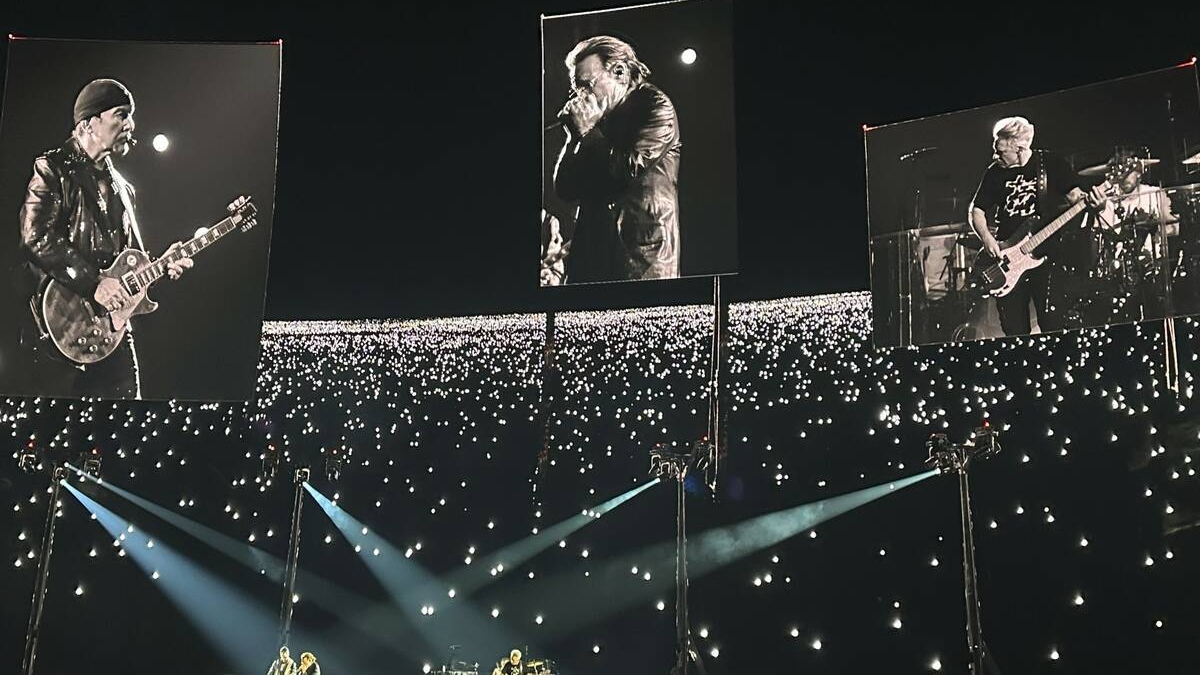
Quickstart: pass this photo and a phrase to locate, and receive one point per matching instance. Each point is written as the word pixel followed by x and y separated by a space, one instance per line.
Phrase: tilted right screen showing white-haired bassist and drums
pixel 1067 211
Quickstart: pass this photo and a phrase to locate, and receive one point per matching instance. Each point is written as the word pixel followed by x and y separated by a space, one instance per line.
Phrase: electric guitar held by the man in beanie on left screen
pixel 83 332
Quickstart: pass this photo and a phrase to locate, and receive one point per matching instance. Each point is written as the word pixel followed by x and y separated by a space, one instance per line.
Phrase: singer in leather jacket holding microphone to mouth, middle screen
pixel 621 164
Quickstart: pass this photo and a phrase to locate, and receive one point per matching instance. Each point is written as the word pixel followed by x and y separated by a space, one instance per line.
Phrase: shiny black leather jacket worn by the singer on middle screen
pixel 625 175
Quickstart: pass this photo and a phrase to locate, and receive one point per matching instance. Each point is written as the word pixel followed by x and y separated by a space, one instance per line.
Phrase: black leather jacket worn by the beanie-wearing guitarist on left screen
pixel 67 232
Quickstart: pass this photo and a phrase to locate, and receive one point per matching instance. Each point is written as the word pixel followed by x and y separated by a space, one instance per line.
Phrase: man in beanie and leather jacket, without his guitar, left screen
pixel 77 217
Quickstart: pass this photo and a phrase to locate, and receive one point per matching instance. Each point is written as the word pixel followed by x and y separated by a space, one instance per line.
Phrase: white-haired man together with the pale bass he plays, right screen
pixel 1023 194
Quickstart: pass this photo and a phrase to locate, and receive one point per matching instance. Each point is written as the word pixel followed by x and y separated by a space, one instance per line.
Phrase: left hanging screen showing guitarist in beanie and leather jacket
pixel 137 189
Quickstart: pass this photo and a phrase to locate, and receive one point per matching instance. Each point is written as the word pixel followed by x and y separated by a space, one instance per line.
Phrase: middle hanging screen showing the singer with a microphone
pixel 639 160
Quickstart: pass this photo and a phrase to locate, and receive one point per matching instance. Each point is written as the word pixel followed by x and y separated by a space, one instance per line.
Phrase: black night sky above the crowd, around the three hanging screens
pixel 410 145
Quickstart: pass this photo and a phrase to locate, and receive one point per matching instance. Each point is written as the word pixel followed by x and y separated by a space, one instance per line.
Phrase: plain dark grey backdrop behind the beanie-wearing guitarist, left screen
pixel 219 107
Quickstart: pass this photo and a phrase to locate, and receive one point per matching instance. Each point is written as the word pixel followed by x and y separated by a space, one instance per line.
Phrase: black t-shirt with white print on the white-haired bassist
pixel 1010 195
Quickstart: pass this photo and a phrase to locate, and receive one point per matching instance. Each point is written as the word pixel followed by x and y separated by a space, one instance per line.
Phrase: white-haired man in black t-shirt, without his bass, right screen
pixel 1023 184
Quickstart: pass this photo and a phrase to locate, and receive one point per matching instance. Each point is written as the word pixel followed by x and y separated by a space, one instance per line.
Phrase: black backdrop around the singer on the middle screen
pixel 704 99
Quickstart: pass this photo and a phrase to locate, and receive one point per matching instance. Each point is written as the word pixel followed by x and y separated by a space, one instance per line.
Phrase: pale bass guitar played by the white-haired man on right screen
pixel 999 277
